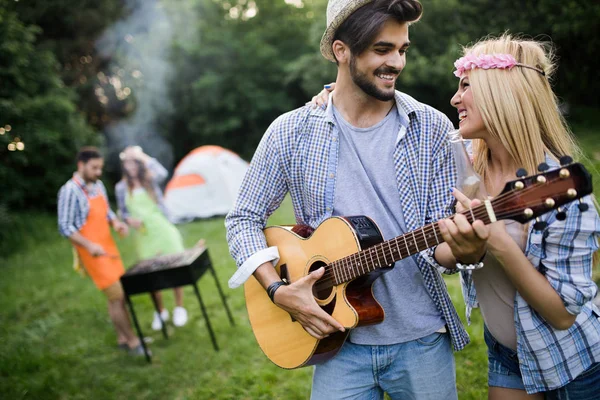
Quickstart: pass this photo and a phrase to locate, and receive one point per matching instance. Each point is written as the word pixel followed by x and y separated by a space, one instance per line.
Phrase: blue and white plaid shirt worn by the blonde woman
pixel 551 358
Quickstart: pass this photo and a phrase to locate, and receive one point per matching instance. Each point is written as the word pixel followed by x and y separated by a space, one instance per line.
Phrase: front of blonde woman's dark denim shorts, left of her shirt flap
pixel 503 364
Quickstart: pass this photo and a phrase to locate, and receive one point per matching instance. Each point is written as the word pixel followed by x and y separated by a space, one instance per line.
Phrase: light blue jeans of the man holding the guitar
pixel 421 369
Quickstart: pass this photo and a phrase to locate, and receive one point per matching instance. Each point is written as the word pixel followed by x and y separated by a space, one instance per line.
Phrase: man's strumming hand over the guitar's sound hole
pixel 298 300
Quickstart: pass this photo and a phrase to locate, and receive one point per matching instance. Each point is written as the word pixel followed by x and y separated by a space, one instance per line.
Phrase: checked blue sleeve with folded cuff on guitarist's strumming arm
pixel 262 191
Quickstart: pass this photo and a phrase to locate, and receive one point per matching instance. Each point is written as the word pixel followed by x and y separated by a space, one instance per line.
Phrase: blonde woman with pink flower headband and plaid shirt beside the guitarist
pixel 535 289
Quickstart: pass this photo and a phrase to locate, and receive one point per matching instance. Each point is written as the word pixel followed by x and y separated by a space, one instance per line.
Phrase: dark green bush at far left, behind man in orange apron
pixel 39 121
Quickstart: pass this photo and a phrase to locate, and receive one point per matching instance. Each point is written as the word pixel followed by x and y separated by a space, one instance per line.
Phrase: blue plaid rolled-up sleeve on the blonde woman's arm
pixel 567 257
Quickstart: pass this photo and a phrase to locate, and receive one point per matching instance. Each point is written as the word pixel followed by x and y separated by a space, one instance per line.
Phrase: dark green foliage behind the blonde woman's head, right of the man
pixel 448 24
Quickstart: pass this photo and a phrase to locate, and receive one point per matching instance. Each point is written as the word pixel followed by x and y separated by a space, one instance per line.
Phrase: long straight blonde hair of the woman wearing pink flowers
pixel 518 106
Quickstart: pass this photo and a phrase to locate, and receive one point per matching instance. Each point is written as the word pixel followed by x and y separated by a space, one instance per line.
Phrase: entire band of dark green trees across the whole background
pixel 234 66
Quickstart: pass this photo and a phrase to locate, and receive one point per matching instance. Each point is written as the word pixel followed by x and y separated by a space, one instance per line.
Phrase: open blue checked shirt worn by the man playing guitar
pixel 298 155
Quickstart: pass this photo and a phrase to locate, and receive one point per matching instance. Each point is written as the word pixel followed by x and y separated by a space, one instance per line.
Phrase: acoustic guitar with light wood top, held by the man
pixel 354 254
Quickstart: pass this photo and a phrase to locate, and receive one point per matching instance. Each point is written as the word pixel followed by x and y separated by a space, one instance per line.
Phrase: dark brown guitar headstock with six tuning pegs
pixel 531 196
